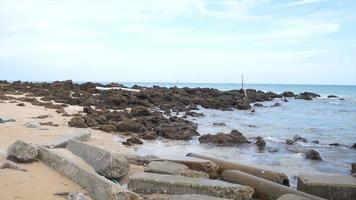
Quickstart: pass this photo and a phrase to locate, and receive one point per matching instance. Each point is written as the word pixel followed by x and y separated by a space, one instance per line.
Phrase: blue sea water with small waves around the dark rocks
pixel 323 119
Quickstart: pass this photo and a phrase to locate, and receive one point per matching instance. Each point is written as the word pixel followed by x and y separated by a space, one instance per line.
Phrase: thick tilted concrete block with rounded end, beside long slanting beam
pixel 104 162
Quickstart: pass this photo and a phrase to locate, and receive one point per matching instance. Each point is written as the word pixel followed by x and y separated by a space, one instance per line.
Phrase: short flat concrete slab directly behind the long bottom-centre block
pixel 172 168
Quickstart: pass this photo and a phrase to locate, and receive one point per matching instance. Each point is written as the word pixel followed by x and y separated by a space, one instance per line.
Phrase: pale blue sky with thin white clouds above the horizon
pixel 269 41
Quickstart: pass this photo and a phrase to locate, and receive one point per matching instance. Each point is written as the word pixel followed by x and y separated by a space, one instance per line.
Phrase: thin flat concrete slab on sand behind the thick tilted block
pixel 61 141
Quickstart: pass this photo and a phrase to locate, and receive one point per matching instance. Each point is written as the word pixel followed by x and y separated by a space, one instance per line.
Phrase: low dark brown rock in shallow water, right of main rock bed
pixel 222 139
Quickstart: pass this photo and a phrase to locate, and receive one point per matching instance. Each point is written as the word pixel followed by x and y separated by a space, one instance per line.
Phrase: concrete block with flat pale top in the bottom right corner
pixel 334 187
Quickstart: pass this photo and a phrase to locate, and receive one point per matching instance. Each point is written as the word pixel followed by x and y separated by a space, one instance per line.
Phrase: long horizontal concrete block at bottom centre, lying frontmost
pixel 148 183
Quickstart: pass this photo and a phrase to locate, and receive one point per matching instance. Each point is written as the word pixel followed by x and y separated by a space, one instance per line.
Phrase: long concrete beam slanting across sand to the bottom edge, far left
pixel 98 186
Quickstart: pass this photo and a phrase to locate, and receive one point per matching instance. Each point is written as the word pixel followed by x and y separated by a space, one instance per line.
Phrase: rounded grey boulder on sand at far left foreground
pixel 22 152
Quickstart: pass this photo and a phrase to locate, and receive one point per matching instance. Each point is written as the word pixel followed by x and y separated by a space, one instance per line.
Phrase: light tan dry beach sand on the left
pixel 40 181
